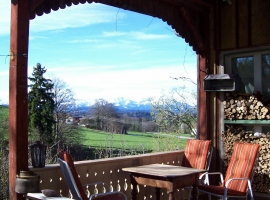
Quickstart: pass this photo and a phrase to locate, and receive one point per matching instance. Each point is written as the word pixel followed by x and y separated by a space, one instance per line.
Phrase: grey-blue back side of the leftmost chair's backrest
pixel 70 180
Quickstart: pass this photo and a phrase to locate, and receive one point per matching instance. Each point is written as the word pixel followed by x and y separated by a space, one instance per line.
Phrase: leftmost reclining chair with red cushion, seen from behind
pixel 74 183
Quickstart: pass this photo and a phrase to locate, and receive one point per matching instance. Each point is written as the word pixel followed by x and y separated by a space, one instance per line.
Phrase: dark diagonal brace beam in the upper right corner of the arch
pixel 194 31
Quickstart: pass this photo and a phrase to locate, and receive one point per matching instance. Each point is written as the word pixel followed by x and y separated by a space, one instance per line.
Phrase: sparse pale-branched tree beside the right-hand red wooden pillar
pixel 176 112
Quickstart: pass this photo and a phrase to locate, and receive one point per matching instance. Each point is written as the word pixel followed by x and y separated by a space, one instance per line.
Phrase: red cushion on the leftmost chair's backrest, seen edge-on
pixel 65 156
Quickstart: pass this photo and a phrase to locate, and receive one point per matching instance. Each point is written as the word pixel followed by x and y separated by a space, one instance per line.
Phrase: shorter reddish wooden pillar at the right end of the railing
pixel 203 101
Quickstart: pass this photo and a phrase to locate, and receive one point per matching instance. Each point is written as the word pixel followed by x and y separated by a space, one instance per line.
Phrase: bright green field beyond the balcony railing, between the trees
pixel 133 140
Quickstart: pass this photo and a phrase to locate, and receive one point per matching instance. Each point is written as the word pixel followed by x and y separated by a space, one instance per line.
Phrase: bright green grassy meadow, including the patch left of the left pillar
pixel 133 140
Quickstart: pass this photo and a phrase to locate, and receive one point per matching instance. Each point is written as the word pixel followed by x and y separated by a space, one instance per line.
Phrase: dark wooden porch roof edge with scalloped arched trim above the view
pixel 189 18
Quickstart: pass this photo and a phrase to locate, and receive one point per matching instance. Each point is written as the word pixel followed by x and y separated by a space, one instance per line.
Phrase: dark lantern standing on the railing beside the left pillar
pixel 38 154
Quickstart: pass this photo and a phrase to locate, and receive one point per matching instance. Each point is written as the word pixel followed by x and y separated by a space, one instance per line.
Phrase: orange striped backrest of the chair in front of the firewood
pixel 241 165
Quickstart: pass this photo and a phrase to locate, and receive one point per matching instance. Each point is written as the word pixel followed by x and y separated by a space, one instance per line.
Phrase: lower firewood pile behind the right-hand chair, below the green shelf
pixel 261 181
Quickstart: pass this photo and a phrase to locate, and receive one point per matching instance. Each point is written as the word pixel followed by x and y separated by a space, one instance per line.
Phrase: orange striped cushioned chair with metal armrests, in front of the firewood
pixel 239 174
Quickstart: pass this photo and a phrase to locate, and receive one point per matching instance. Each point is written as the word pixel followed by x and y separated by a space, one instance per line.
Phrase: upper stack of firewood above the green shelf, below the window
pixel 245 107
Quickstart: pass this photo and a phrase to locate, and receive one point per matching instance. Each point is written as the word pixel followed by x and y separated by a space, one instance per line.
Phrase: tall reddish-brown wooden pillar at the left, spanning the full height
pixel 18 107
